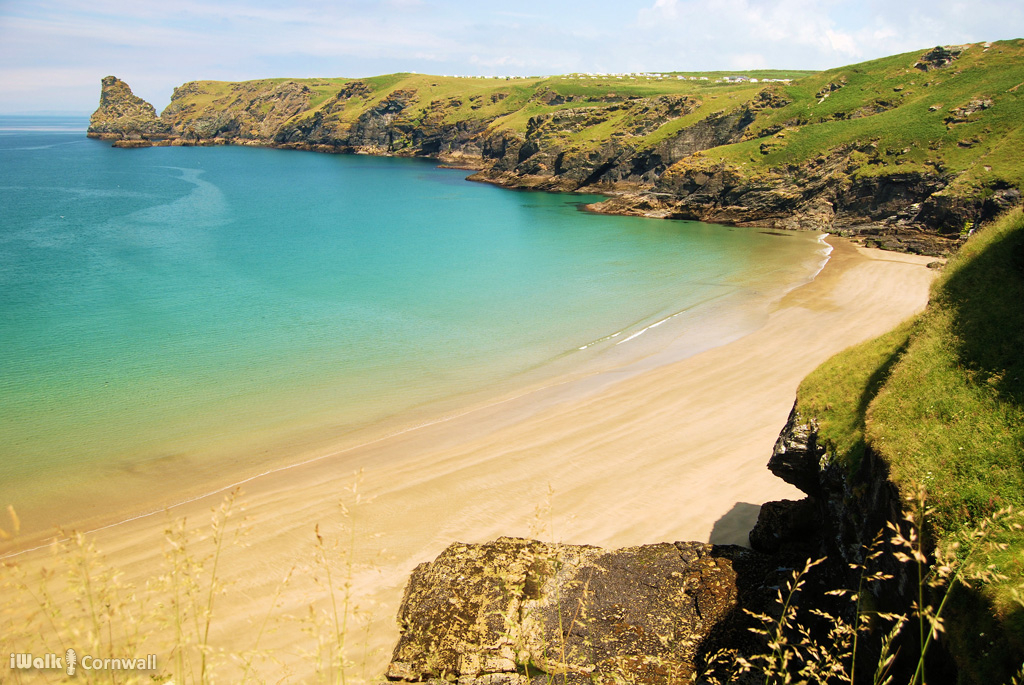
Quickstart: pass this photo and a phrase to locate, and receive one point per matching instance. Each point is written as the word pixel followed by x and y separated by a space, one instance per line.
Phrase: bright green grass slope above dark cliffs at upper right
pixel 965 118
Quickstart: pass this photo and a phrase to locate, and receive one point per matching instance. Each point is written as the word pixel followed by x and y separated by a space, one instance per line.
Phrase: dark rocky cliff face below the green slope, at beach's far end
pixel 908 211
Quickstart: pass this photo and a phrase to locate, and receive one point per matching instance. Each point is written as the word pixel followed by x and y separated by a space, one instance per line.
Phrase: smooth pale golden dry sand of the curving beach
pixel 675 453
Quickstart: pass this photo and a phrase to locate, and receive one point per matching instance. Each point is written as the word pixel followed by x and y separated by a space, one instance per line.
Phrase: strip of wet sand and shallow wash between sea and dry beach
pixel 178 481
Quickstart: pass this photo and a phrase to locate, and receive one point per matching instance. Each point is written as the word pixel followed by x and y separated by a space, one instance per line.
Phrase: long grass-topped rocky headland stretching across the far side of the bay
pixel 907 153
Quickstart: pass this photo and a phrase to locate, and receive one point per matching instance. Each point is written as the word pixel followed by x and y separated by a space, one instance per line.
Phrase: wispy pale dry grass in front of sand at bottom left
pixel 77 598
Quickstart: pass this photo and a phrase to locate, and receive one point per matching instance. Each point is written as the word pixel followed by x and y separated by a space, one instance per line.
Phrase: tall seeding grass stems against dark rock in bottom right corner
pixel 813 646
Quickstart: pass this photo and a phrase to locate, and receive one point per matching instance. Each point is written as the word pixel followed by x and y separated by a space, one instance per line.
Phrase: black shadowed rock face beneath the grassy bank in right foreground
pixel 848 520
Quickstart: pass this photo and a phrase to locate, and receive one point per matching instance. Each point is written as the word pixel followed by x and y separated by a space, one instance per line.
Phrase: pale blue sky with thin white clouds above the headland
pixel 55 53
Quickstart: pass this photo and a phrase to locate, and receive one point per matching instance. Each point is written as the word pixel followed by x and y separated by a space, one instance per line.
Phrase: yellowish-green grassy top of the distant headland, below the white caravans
pixel 503 105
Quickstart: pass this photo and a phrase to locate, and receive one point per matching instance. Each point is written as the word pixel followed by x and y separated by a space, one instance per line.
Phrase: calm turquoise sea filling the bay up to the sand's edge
pixel 177 310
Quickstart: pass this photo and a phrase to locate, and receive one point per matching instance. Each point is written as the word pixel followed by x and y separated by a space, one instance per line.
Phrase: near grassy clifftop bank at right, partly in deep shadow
pixel 942 402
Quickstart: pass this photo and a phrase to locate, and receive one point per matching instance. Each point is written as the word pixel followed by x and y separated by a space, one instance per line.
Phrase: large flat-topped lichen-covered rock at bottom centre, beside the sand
pixel 517 610
